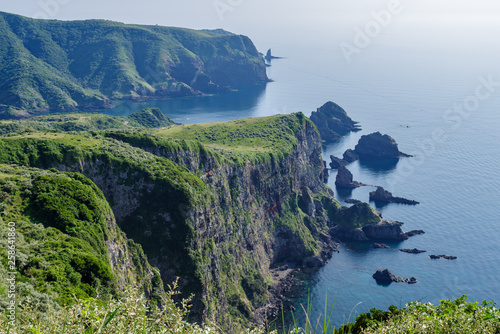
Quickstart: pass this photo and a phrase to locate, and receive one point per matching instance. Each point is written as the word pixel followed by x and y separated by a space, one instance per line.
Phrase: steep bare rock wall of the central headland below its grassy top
pixel 241 212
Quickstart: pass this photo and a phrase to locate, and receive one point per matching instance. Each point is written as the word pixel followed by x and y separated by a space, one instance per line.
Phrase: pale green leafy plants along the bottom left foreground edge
pixel 130 314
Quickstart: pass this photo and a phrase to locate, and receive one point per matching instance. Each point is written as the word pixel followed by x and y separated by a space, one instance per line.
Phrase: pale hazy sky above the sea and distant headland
pixel 259 19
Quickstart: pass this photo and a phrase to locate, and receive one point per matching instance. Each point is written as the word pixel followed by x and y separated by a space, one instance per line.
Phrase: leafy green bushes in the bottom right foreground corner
pixel 450 316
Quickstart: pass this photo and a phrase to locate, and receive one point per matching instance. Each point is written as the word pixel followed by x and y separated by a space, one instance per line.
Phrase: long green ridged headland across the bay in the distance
pixel 76 65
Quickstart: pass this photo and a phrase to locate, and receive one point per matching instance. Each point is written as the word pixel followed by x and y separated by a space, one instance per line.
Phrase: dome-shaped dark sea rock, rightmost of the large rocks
pixel 376 145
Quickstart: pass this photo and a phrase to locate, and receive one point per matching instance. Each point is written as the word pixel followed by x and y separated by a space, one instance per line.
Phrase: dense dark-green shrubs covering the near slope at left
pixel 61 230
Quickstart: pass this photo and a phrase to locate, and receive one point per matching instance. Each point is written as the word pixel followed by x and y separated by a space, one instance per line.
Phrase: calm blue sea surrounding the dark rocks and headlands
pixel 423 83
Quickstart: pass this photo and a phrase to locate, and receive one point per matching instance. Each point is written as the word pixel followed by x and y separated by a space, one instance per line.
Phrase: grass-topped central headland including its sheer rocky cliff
pixel 219 219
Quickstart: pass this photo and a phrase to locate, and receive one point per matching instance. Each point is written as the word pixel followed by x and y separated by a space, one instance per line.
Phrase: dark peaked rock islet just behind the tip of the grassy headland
pixel 332 122
